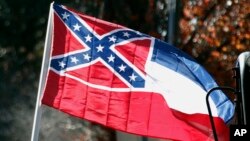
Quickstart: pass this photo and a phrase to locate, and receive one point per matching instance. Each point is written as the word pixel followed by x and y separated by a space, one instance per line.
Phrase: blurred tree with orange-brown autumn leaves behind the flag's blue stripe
pixel 215 32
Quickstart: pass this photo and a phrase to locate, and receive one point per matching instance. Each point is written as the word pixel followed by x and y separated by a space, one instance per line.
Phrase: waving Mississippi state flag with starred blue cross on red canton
pixel 126 80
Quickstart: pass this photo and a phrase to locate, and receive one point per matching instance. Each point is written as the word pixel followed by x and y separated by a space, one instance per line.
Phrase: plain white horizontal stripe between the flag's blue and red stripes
pixel 181 93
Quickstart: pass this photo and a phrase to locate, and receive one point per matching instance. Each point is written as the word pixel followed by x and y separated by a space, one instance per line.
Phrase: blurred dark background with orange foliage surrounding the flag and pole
pixel 214 32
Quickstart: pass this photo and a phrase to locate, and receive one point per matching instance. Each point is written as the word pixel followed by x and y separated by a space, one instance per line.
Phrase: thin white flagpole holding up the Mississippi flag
pixel 43 73
